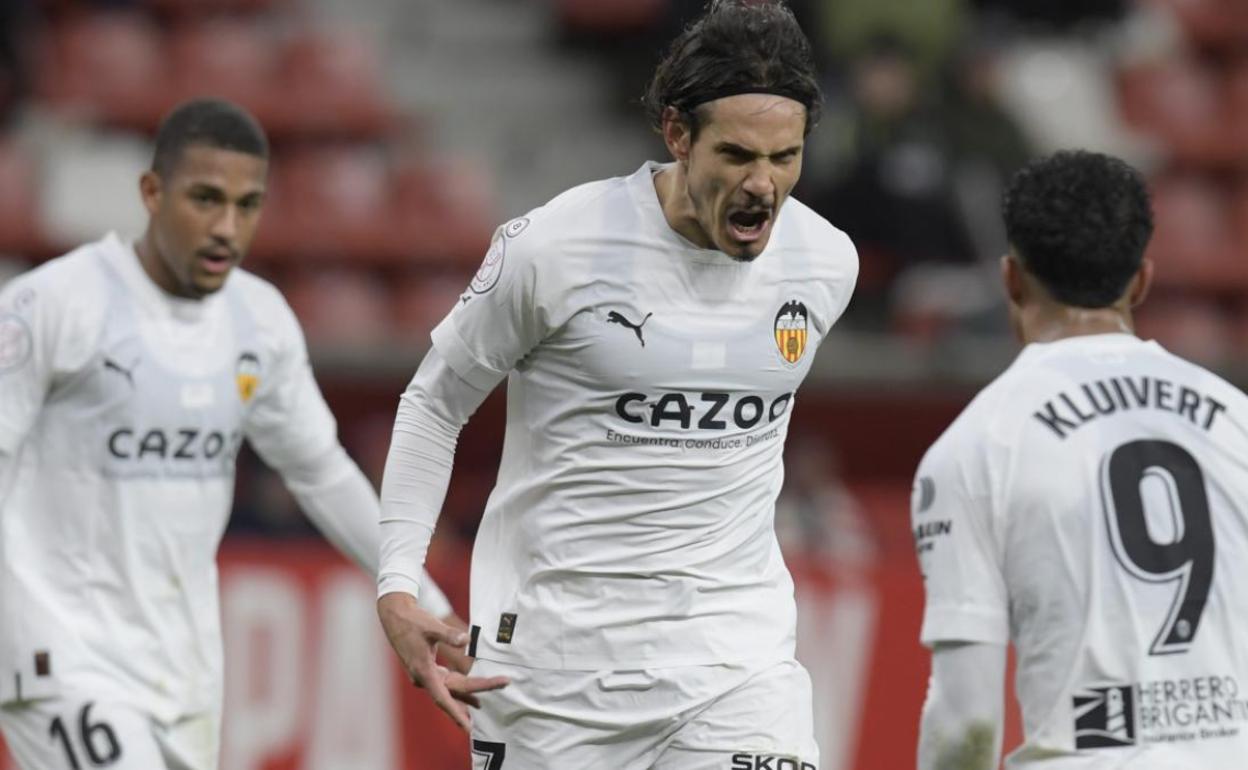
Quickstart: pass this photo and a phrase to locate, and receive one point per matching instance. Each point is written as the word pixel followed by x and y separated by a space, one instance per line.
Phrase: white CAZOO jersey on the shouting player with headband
pixel 651 390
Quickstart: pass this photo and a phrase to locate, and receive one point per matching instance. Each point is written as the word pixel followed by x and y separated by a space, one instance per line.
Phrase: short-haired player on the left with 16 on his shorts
pixel 130 374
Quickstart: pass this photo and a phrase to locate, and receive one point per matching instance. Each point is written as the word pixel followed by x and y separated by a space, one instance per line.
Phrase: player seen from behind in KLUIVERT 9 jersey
pixel 1091 509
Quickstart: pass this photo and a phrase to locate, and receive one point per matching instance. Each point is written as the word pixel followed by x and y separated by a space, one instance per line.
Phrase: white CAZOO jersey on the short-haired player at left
pixel 123 410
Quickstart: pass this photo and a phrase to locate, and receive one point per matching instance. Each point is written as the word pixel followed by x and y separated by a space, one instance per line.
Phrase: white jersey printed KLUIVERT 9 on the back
pixel 1091 506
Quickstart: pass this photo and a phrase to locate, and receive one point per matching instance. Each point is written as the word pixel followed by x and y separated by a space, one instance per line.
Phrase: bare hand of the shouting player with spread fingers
pixel 415 635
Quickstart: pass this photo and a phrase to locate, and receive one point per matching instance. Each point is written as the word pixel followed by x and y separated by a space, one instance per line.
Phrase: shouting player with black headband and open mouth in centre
pixel 653 330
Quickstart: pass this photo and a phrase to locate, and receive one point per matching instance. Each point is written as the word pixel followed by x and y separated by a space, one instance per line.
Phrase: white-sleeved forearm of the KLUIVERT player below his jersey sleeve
pixel 963 717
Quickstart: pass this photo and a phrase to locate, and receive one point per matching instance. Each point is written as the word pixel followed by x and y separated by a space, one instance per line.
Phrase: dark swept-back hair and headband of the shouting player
pixel 737 47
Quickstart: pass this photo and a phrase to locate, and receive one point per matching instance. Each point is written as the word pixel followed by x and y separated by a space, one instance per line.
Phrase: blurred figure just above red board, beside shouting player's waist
pixel 817 516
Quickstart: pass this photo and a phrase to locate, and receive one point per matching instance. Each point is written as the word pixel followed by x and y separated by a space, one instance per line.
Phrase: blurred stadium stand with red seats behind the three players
pixel 405 130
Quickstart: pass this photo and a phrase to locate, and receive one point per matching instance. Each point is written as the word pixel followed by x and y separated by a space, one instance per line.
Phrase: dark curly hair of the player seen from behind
pixel 1080 223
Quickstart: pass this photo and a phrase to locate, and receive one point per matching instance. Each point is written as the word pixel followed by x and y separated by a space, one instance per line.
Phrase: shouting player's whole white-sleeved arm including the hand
pixel 500 320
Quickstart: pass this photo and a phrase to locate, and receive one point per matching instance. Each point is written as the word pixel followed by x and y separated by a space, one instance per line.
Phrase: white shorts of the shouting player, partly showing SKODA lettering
pixel 688 718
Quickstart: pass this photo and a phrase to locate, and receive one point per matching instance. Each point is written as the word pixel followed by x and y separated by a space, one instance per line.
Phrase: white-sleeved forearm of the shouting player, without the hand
pixel 432 412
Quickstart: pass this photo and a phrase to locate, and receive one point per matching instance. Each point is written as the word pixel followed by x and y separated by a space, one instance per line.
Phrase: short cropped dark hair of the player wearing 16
pixel 210 123
